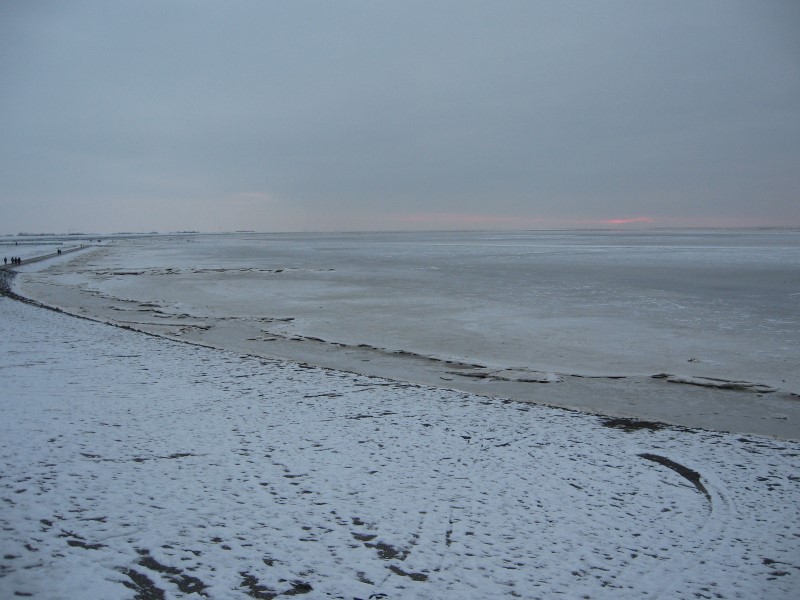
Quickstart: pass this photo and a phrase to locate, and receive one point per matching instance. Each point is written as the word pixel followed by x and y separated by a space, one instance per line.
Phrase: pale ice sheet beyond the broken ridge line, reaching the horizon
pixel 699 304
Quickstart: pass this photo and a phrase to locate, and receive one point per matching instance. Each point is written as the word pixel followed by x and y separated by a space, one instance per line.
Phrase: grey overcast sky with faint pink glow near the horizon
pixel 355 115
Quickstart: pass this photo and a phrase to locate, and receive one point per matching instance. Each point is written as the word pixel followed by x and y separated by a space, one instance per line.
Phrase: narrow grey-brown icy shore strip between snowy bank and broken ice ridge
pixel 713 405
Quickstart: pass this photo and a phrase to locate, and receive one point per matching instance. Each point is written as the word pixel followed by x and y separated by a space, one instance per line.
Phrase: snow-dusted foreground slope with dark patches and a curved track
pixel 138 467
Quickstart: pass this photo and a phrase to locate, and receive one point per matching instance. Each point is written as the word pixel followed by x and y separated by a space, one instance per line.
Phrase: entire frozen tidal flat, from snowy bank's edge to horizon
pixel 577 319
